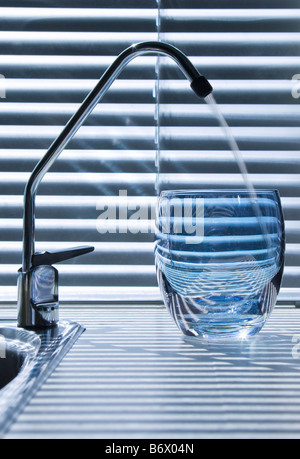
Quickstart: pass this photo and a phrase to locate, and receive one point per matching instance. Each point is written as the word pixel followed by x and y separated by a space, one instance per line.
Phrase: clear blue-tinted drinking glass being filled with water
pixel 219 258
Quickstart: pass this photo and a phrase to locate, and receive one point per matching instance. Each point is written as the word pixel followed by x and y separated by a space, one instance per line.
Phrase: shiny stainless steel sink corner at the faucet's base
pixel 26 360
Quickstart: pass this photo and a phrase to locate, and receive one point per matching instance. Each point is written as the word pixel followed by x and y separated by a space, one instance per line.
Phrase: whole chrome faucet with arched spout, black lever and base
pixel 38 304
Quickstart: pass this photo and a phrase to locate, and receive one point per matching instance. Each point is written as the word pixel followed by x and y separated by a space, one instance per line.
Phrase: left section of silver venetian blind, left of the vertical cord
pixel 52 55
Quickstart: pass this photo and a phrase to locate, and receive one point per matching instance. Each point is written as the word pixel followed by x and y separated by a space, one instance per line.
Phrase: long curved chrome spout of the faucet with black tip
pixel 199 85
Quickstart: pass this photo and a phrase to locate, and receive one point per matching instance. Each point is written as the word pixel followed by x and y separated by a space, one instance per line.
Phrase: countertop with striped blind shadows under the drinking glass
pixel 133 375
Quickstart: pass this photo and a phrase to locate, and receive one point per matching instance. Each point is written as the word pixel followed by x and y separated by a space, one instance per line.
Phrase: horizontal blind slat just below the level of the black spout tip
pixel 187 115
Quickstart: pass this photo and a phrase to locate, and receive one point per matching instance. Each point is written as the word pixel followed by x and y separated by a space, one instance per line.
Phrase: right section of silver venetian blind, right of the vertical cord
pixel 250 52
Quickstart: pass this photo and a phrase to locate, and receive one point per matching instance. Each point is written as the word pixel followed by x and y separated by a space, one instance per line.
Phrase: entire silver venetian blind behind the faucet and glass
pixel 52 55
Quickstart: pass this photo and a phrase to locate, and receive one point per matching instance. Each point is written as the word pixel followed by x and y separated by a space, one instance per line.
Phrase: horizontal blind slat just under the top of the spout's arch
pixel 39 67
